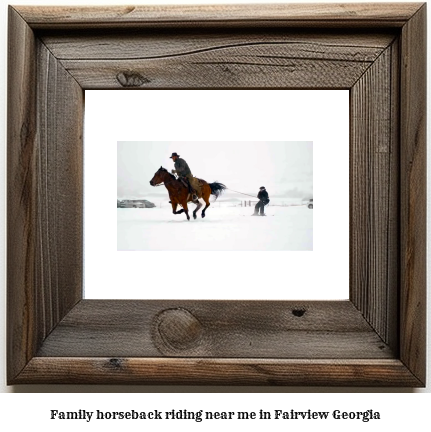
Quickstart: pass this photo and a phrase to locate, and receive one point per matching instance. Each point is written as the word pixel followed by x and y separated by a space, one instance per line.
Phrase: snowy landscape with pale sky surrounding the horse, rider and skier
pixel 284 168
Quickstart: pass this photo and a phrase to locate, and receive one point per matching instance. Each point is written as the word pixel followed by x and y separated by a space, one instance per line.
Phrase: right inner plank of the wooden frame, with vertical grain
pixel 374 195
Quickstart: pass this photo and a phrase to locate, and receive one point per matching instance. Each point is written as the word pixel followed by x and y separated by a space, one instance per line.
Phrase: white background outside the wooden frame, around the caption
pixel 401 410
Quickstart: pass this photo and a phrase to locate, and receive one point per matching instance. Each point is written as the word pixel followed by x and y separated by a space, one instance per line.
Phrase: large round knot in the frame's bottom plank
pixel 178 329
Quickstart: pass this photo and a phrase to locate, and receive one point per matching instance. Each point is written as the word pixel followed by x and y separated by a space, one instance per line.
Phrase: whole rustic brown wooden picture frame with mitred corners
pixel 376 338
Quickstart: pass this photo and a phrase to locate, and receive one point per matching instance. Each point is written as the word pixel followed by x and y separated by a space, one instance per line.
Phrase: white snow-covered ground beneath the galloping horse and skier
pixel 224 228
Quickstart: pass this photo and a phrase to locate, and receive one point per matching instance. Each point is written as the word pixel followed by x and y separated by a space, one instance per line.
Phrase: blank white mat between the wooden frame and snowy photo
pixel 241 115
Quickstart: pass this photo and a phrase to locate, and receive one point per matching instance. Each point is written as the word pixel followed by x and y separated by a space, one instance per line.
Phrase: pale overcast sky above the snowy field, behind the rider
pixel 284 168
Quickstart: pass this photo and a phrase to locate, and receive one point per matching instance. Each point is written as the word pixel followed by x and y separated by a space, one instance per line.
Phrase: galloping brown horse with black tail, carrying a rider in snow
pixel 179 193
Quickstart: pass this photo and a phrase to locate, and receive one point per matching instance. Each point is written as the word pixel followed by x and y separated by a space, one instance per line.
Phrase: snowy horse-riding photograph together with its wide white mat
pixel 229 254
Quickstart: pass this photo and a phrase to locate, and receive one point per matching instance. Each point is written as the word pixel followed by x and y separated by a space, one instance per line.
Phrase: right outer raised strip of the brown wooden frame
pixel 413 194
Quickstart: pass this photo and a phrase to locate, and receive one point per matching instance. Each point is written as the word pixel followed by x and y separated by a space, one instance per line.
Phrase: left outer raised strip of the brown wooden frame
pixel 21 232
